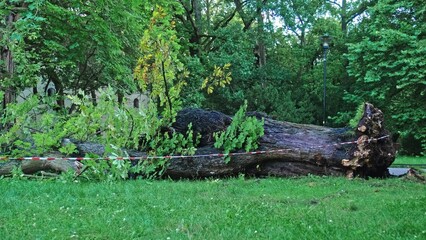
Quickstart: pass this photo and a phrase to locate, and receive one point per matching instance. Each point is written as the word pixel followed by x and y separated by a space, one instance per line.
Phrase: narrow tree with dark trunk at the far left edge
pixel 20 24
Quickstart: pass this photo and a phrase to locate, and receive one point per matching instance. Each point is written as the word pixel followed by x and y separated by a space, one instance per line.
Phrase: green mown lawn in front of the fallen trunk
pixel 302 208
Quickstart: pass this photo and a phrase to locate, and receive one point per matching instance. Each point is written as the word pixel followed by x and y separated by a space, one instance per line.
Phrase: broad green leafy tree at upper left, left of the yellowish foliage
pixel 74 44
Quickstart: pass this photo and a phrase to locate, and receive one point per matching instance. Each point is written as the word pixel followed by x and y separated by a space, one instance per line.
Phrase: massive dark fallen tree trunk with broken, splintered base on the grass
pixel 285 150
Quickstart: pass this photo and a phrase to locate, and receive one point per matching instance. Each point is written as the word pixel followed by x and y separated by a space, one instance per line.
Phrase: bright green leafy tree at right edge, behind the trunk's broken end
pixel 388 64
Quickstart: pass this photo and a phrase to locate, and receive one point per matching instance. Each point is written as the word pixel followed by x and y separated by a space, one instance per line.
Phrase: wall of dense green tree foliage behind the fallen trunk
pixel 217 54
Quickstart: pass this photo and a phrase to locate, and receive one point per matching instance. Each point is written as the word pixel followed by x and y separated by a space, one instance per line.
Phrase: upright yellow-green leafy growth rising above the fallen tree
pixel 159 70
